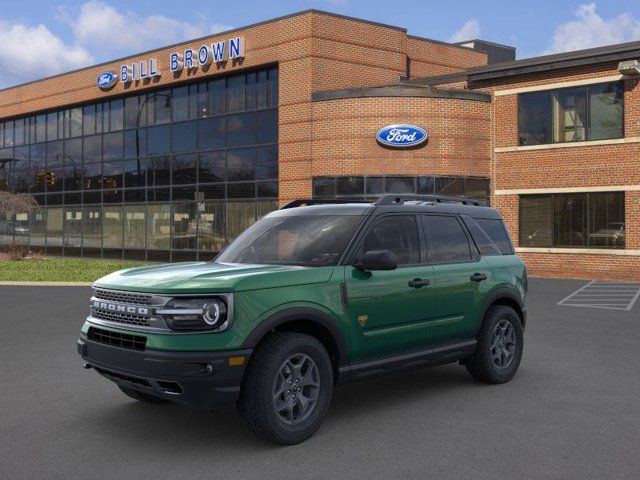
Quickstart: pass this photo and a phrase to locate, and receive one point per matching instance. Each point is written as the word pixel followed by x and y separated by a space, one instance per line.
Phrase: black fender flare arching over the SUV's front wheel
pixel 300 313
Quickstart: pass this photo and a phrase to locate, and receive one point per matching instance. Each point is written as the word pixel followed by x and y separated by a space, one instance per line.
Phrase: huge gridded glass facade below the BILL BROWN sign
pixel 181 168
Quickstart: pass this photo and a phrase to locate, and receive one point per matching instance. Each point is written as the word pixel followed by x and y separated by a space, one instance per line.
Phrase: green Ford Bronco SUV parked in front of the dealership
pixel 311 296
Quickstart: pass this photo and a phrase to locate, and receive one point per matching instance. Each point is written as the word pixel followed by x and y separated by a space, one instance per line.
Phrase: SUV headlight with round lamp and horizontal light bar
pixel 195 314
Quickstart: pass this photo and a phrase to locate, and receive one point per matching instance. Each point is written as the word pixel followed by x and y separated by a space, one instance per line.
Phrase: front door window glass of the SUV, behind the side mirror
pixel 397 233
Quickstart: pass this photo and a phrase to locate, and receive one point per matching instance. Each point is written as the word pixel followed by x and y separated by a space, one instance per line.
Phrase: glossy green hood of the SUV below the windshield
pixel 201 277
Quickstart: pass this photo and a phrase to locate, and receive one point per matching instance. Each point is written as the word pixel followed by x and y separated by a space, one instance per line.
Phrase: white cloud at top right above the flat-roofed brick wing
pixel 591 30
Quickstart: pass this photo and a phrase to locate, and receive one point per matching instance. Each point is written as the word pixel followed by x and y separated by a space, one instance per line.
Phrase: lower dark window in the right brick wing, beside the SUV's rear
pixel 582 220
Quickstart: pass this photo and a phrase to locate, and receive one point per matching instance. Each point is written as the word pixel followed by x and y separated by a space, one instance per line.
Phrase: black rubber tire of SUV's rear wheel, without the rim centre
pixel 482 365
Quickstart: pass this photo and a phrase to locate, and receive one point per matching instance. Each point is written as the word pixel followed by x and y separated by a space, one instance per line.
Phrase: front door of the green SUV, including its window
pixel 388 310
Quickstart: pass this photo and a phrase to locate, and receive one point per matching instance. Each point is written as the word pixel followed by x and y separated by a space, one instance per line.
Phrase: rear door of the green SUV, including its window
pixel 461 276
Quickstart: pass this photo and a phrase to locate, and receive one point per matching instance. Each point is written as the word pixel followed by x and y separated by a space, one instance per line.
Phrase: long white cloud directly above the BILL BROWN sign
pixel 106 31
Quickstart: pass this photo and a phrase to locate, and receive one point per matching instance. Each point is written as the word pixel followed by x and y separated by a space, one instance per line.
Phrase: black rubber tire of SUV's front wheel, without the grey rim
pixel 257 403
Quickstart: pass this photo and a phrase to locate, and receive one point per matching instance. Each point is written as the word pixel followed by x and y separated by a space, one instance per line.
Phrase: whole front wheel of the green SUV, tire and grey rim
pixel 287 388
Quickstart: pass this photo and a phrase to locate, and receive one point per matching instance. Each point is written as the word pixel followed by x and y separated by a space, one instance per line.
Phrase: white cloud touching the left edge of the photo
pixel 29 52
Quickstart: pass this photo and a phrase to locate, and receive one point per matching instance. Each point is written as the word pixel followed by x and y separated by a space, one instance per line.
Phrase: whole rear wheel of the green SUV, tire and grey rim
pixel 500 343
